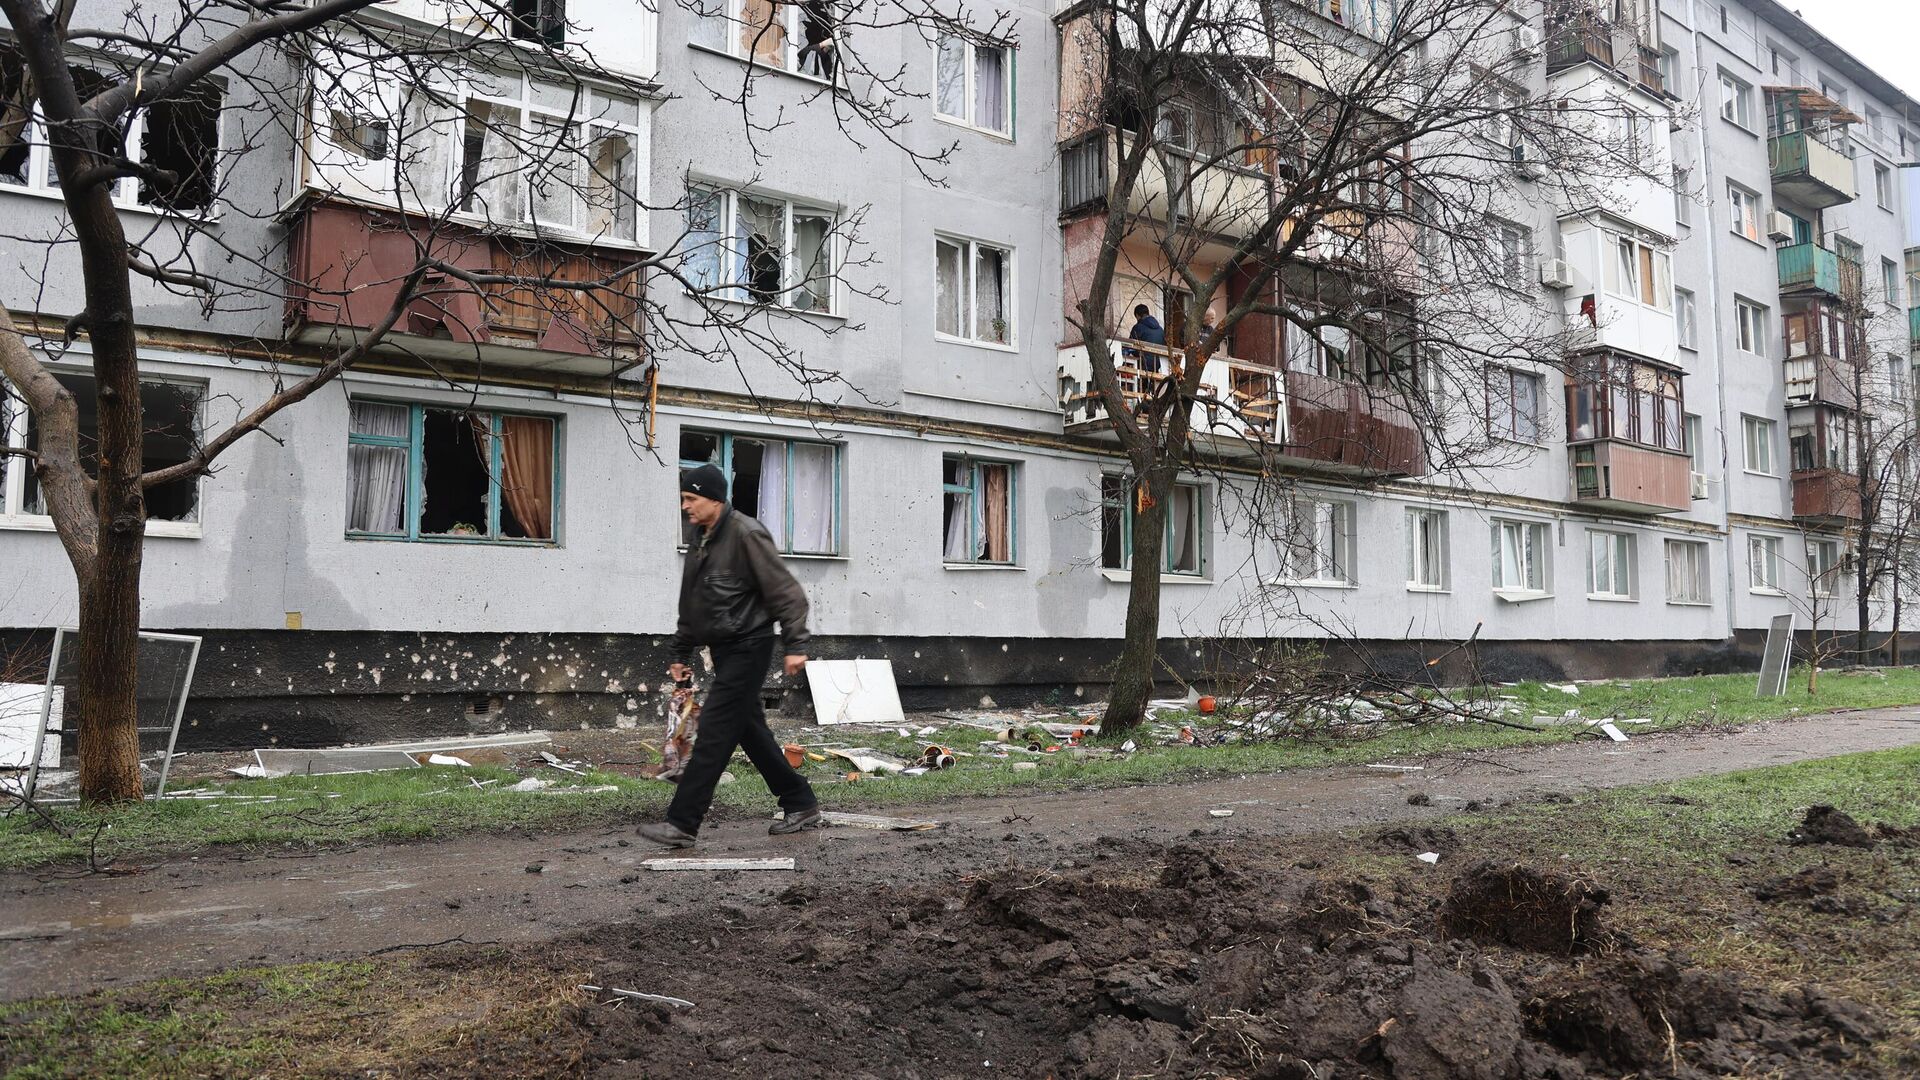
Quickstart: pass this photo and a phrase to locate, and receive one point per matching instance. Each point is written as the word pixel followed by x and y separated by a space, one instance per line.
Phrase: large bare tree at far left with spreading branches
pixel 469 178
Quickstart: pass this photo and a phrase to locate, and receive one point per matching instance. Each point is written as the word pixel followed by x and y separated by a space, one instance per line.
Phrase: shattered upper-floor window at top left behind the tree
pixel 180 137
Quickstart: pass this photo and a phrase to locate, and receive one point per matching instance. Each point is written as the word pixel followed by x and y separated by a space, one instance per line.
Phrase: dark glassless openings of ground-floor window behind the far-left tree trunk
pixel 172 422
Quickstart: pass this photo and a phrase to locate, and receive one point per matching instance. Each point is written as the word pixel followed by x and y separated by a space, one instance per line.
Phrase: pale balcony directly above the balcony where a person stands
pixel 1224 199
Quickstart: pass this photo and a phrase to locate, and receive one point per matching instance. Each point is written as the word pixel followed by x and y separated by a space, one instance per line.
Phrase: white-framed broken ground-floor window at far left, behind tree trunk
pixel 172 422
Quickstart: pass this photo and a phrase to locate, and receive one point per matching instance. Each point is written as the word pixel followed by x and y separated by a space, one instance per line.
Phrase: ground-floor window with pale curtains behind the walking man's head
pixel 790 487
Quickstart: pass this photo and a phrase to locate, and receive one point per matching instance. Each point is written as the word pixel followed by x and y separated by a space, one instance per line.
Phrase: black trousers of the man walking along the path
pixel 731 718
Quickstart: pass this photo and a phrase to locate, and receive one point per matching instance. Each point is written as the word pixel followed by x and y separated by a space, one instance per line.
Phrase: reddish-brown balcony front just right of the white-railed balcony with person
pixel 1349 428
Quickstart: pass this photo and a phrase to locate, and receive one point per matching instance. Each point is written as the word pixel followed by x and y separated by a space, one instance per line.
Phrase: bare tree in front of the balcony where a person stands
pixel 1328 220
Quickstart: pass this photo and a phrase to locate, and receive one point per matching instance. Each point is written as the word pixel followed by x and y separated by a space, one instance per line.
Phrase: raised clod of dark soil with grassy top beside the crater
pixel 1524 908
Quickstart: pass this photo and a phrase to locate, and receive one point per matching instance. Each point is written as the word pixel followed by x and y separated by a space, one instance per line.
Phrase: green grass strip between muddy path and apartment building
pixel 437 802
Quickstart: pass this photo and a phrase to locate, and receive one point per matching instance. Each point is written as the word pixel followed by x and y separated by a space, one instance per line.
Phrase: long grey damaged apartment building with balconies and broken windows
pixel 477 528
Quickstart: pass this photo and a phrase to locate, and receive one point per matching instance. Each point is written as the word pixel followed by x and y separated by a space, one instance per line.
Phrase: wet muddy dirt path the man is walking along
pixel 212 914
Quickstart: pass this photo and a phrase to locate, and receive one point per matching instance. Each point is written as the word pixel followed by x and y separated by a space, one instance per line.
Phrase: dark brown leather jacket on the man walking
pixel 734 587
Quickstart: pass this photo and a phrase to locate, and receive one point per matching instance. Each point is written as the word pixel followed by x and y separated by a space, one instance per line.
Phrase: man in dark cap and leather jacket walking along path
pixel 732 591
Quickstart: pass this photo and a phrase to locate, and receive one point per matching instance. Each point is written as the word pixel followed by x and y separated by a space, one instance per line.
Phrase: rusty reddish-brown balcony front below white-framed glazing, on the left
pixel 348 262
